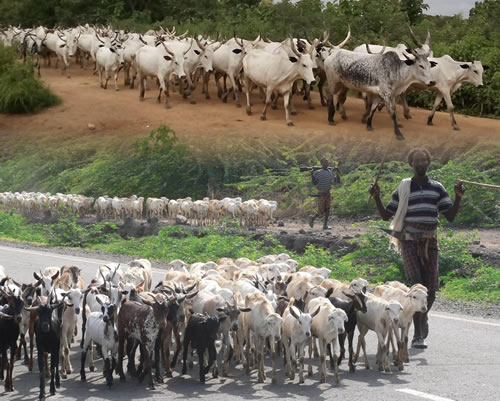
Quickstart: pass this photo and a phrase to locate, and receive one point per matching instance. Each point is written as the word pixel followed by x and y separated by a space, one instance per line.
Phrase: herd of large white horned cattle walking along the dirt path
pixel 381 73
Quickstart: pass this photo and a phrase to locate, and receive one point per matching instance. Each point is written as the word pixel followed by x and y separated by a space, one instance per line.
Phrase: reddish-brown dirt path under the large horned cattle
pixel 119 116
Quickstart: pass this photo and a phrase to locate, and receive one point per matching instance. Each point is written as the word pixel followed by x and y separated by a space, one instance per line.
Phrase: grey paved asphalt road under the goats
pixel 461 363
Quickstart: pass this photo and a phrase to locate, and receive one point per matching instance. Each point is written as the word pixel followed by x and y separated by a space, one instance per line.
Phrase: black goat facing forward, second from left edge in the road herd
pixel 47 330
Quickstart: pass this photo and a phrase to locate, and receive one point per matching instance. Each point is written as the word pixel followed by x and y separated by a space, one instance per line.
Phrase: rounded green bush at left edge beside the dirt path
pixel 20 91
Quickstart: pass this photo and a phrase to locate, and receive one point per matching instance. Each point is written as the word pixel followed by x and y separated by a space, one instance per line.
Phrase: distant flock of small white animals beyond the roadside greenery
pixel 199 212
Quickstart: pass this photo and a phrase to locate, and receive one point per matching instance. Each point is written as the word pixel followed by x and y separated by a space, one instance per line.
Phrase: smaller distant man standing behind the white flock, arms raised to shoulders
pixel 323 178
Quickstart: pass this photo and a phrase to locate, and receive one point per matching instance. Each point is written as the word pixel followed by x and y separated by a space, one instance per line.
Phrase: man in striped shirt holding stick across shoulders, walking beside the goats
pixel 415 206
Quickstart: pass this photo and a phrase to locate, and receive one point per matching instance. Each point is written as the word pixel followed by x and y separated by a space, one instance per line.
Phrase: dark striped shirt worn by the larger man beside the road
pixel 424 203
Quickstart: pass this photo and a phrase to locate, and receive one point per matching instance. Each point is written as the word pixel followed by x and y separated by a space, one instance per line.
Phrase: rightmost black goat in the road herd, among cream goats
pixel 356 303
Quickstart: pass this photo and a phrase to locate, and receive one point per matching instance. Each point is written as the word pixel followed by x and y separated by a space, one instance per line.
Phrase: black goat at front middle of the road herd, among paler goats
pixel 201 333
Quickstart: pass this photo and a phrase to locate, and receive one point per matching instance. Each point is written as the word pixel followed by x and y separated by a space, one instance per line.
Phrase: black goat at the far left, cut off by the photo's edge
pixel 10 317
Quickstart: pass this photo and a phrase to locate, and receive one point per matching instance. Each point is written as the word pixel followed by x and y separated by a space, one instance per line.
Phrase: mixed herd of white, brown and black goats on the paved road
pixel 254 308
